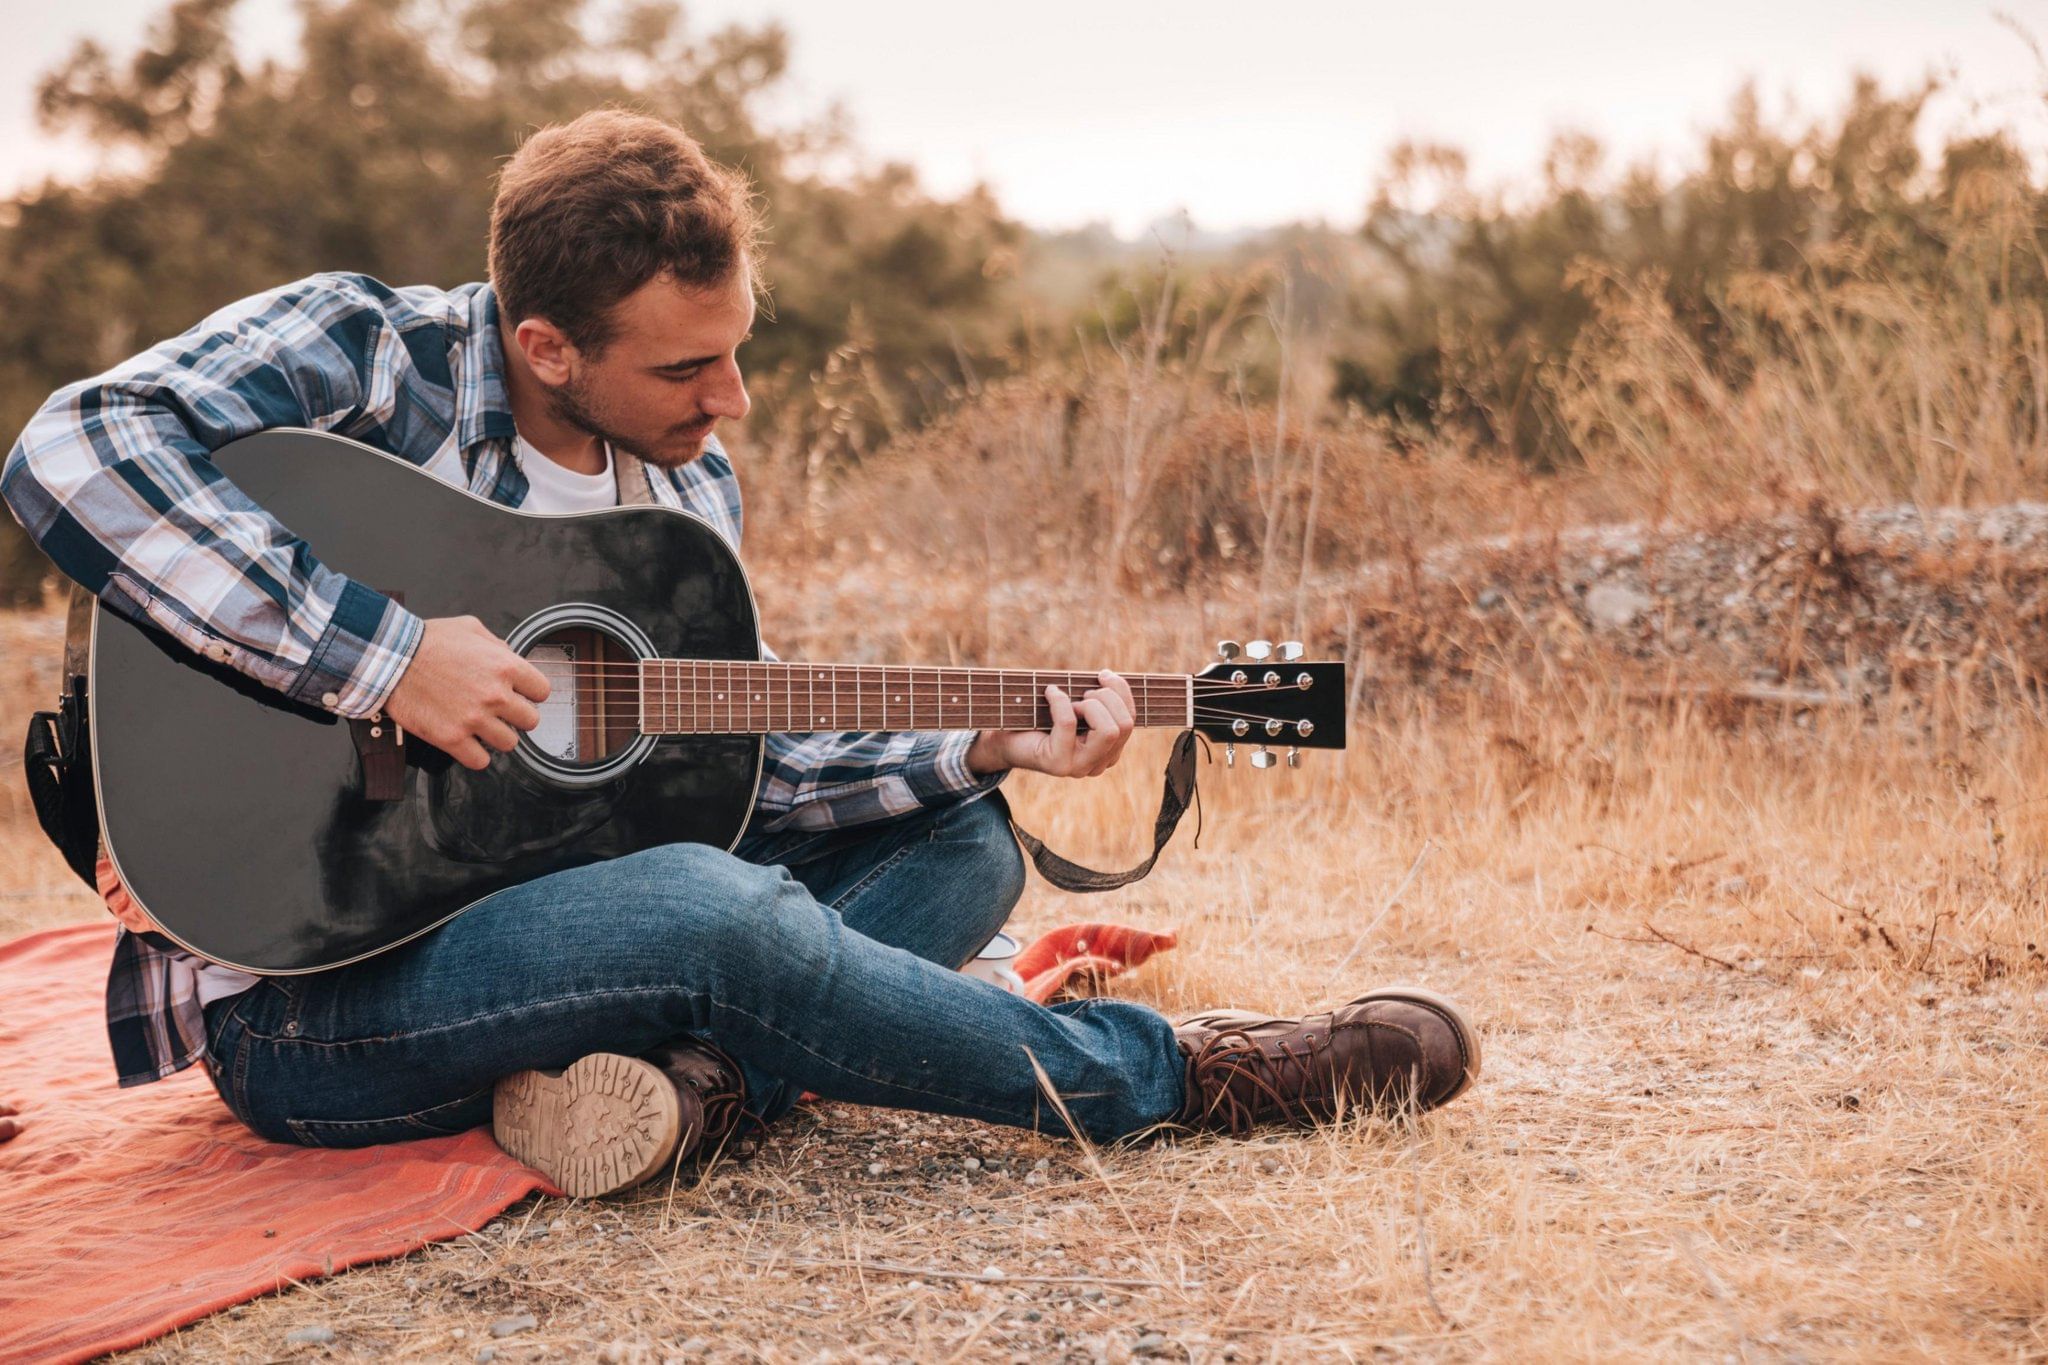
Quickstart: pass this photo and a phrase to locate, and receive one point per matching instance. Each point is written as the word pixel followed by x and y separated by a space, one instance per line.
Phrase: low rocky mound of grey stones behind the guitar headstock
pixel 1811 607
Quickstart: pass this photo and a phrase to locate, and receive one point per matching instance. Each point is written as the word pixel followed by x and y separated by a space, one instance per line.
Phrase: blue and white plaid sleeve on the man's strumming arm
pixel 114 480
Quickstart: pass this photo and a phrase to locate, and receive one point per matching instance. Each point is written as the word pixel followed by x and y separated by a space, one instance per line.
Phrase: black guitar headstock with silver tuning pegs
pixel 1265 695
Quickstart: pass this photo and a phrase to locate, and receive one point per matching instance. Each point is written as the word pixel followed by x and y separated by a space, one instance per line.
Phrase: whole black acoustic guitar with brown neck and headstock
pixel 275 836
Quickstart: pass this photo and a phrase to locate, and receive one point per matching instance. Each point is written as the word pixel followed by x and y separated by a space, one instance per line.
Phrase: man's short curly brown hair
pixel 589 212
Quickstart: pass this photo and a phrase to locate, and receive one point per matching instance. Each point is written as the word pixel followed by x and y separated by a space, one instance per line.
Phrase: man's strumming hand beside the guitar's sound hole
pixel 468 693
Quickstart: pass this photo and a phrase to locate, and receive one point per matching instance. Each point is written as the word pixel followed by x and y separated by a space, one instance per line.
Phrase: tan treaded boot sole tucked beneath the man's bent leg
pixel 603 1125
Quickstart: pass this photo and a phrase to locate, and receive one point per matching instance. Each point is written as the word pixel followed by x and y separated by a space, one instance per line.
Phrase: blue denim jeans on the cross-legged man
pixel 820 961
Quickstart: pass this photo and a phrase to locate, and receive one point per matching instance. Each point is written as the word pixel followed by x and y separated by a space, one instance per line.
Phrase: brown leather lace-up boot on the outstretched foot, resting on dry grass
pixel 1392 1049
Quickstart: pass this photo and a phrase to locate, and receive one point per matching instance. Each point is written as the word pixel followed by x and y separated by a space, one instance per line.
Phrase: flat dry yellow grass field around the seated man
pixel 1766 1077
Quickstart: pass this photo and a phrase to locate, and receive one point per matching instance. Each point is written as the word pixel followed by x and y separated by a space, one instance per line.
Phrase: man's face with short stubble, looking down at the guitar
pixel 669 373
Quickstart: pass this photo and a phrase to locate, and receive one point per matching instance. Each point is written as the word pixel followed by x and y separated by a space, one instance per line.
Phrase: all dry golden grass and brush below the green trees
pixel 1764 996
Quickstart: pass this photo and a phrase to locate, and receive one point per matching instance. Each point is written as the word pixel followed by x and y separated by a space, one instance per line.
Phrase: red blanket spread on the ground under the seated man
pixel 130 1213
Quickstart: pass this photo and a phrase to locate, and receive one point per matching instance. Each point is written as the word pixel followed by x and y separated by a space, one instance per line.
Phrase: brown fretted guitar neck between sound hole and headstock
pixel 718 697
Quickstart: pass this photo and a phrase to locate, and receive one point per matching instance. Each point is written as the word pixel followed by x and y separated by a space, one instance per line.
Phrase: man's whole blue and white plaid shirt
pixel 114 480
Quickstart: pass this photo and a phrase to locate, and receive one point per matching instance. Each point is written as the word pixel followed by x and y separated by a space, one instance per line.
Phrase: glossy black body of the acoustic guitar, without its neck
pixel 245 822
